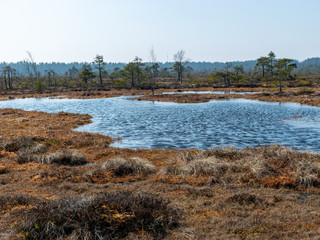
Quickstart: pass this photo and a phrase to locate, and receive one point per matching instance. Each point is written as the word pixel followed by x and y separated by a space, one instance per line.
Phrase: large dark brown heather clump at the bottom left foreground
pixel 106 216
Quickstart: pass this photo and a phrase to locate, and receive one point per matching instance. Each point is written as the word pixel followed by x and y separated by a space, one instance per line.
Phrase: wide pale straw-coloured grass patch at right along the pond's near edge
pixel 271 166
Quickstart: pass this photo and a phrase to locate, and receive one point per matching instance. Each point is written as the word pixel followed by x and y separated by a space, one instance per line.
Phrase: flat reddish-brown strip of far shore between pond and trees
pixel 308 96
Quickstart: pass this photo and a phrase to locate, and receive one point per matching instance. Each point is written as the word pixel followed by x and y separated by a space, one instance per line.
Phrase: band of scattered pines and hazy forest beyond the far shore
pixel 267 71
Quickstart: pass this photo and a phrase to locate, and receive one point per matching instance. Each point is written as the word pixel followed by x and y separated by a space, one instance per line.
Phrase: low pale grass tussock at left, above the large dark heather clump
pixel 65 157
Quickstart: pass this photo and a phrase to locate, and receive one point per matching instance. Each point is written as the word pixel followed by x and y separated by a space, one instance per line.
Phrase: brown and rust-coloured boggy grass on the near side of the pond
pixel 269 192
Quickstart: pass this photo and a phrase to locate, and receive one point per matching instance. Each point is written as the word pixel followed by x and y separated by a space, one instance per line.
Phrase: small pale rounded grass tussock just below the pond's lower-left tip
pixel 131 166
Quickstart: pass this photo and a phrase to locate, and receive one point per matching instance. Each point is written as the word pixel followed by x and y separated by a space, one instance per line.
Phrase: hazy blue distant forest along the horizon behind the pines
pixel 308 66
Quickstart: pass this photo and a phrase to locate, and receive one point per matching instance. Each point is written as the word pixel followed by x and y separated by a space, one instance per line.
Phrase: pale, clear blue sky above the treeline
pixel 207 30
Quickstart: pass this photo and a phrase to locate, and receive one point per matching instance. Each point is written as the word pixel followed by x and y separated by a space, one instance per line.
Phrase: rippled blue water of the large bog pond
pixel 236 122
